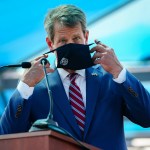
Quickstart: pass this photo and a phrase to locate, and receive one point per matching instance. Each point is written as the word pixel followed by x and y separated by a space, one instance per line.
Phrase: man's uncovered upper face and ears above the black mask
pixel 64 35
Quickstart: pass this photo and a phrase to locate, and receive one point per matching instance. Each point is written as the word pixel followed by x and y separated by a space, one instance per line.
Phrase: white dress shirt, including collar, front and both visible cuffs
pixel 26 91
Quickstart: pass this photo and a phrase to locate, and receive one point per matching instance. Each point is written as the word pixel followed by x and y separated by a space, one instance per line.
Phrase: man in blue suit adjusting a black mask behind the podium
pixel 106 90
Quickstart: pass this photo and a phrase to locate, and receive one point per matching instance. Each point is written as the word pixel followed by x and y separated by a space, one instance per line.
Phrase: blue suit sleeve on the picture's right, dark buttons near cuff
pixel 136 101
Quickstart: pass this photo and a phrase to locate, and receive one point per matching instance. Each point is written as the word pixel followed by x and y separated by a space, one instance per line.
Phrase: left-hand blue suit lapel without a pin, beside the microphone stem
pixel 61 100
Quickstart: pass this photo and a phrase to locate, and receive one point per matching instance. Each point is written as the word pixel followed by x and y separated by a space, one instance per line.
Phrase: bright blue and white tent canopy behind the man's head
pixel 22 34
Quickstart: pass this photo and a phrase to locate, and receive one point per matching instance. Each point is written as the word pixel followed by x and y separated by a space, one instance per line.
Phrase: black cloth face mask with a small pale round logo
pixel 74 56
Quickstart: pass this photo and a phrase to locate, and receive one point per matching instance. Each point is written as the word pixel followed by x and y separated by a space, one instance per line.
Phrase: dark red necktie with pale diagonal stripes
pixel 76 102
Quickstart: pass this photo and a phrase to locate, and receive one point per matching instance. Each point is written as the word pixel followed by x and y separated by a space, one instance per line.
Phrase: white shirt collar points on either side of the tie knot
pixel 63 73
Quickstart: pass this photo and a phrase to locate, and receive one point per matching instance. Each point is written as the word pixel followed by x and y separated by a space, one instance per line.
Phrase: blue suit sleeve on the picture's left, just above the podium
pixel 15 118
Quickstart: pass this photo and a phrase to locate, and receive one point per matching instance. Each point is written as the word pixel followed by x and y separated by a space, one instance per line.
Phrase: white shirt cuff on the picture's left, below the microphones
pixel 24 90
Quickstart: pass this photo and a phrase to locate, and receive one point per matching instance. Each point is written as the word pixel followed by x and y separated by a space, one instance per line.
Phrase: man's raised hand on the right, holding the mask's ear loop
pixel 106 57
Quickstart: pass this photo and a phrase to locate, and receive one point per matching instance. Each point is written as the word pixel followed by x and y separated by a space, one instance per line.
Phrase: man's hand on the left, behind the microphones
pixel 35 74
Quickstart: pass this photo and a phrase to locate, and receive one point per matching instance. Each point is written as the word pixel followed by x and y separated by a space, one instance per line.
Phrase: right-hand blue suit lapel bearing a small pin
pixel 92 88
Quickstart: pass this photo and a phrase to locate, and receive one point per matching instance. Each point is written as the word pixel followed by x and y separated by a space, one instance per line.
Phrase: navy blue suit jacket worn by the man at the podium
pixel 106 104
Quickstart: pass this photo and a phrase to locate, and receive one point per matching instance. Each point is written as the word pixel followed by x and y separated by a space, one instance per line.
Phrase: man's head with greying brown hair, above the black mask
pixel 65 24
